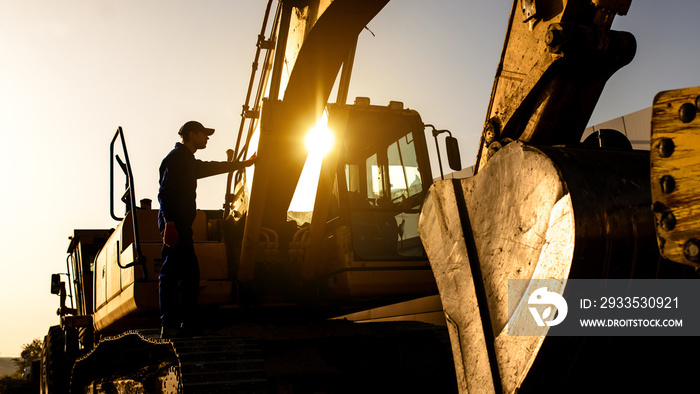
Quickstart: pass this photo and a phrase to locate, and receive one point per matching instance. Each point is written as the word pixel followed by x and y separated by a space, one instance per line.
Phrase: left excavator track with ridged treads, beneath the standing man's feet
pixel 140 362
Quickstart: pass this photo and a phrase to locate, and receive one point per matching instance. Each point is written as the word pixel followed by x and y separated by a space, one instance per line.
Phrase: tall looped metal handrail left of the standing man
pixel 130 199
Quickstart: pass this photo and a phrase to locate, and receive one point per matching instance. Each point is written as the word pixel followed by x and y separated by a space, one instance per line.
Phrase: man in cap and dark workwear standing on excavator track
pixel 179 274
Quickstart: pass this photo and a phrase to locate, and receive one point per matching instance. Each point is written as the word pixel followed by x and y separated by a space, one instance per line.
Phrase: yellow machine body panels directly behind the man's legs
pixel 124 297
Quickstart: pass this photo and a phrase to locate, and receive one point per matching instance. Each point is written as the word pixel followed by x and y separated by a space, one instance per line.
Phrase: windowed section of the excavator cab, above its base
pixel 384 184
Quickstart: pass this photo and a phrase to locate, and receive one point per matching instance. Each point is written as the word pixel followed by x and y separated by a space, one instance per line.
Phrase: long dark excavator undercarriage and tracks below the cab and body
pixel 324 357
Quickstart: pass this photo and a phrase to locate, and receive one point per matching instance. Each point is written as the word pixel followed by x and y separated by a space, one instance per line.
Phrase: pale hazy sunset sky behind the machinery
pixel 75 70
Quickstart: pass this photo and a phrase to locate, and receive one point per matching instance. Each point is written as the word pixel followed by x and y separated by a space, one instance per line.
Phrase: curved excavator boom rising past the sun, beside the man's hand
pixel 285 123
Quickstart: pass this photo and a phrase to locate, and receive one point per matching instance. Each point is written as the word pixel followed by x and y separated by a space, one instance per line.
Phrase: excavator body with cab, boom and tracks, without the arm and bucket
pixel 275 284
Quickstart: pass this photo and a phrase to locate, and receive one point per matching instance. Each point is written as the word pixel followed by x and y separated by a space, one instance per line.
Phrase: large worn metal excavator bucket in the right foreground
pixel 531 214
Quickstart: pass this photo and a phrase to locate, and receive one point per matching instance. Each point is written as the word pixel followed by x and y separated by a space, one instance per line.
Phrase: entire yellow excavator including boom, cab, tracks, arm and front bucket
pixel 427 262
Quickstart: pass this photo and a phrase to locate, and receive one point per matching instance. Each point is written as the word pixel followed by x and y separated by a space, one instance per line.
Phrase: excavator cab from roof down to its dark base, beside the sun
pixel 367 207
